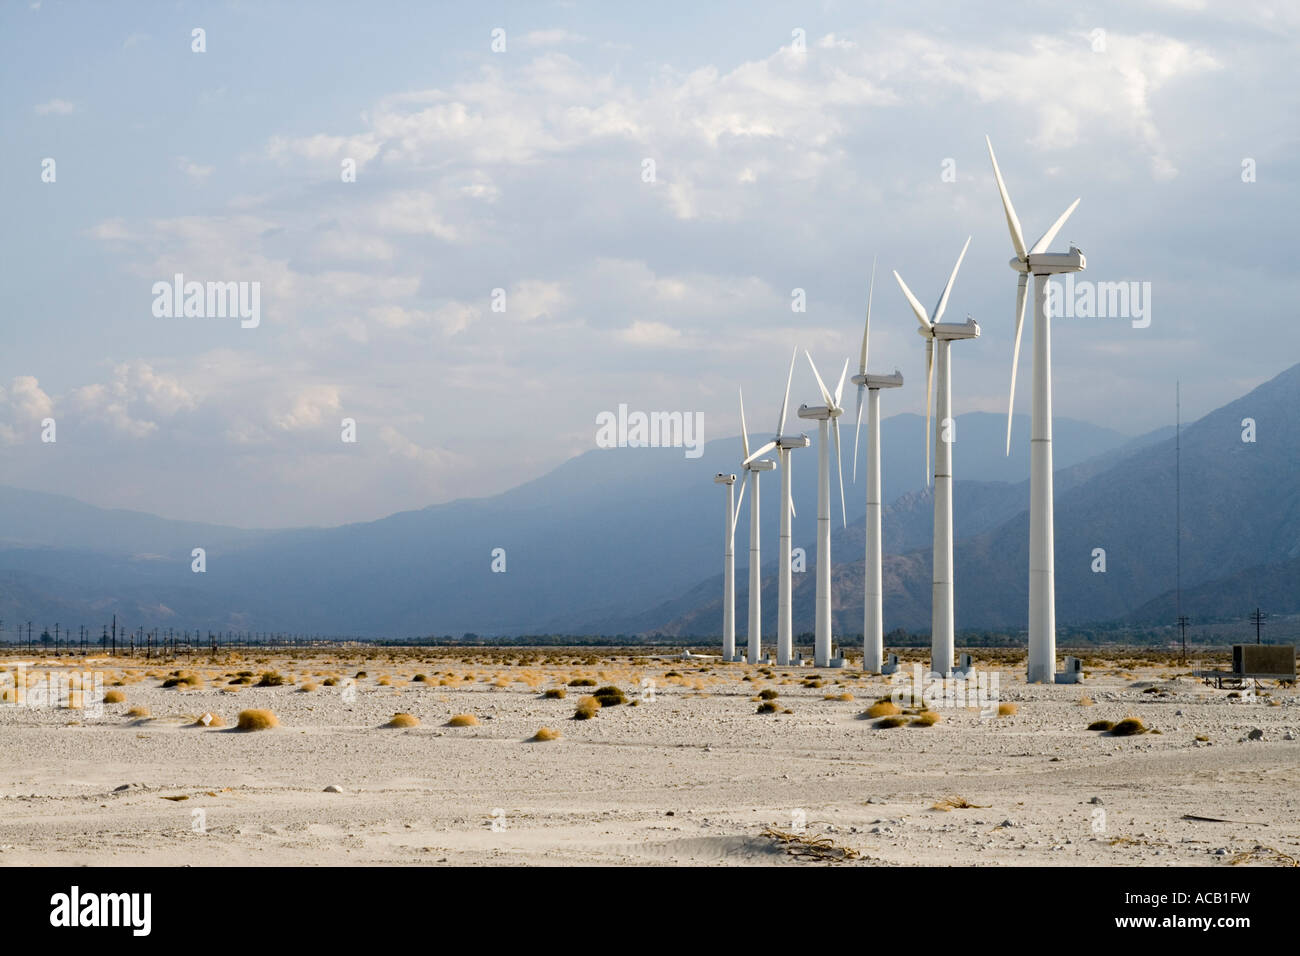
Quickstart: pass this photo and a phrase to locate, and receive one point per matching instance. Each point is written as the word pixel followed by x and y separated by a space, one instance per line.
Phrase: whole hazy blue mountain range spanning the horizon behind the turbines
pixel 629 542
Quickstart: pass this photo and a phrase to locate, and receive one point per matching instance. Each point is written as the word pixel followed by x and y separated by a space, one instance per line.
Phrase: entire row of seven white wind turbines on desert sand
pixel 1033 261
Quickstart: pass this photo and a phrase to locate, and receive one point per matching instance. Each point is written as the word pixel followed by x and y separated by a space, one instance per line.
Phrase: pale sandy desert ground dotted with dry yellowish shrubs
pixel 687 772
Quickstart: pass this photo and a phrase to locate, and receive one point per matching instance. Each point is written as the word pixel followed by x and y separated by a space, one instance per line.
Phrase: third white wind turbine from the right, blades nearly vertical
pixel 873 599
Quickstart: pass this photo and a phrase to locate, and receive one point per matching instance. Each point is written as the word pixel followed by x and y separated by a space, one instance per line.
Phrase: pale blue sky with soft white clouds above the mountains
pixel 791 145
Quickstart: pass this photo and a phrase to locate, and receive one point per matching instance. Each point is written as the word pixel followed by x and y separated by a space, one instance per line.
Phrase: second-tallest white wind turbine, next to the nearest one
pixel 934 331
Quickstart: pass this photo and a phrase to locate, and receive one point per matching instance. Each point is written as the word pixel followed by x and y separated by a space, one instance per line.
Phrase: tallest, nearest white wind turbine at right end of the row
pixel 1039 263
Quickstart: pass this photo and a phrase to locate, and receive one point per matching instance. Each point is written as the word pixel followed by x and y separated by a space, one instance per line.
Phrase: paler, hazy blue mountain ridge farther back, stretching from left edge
pixel 600 539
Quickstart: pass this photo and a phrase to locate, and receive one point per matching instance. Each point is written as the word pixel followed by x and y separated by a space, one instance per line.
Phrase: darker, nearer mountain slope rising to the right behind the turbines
pixel 1241 511
